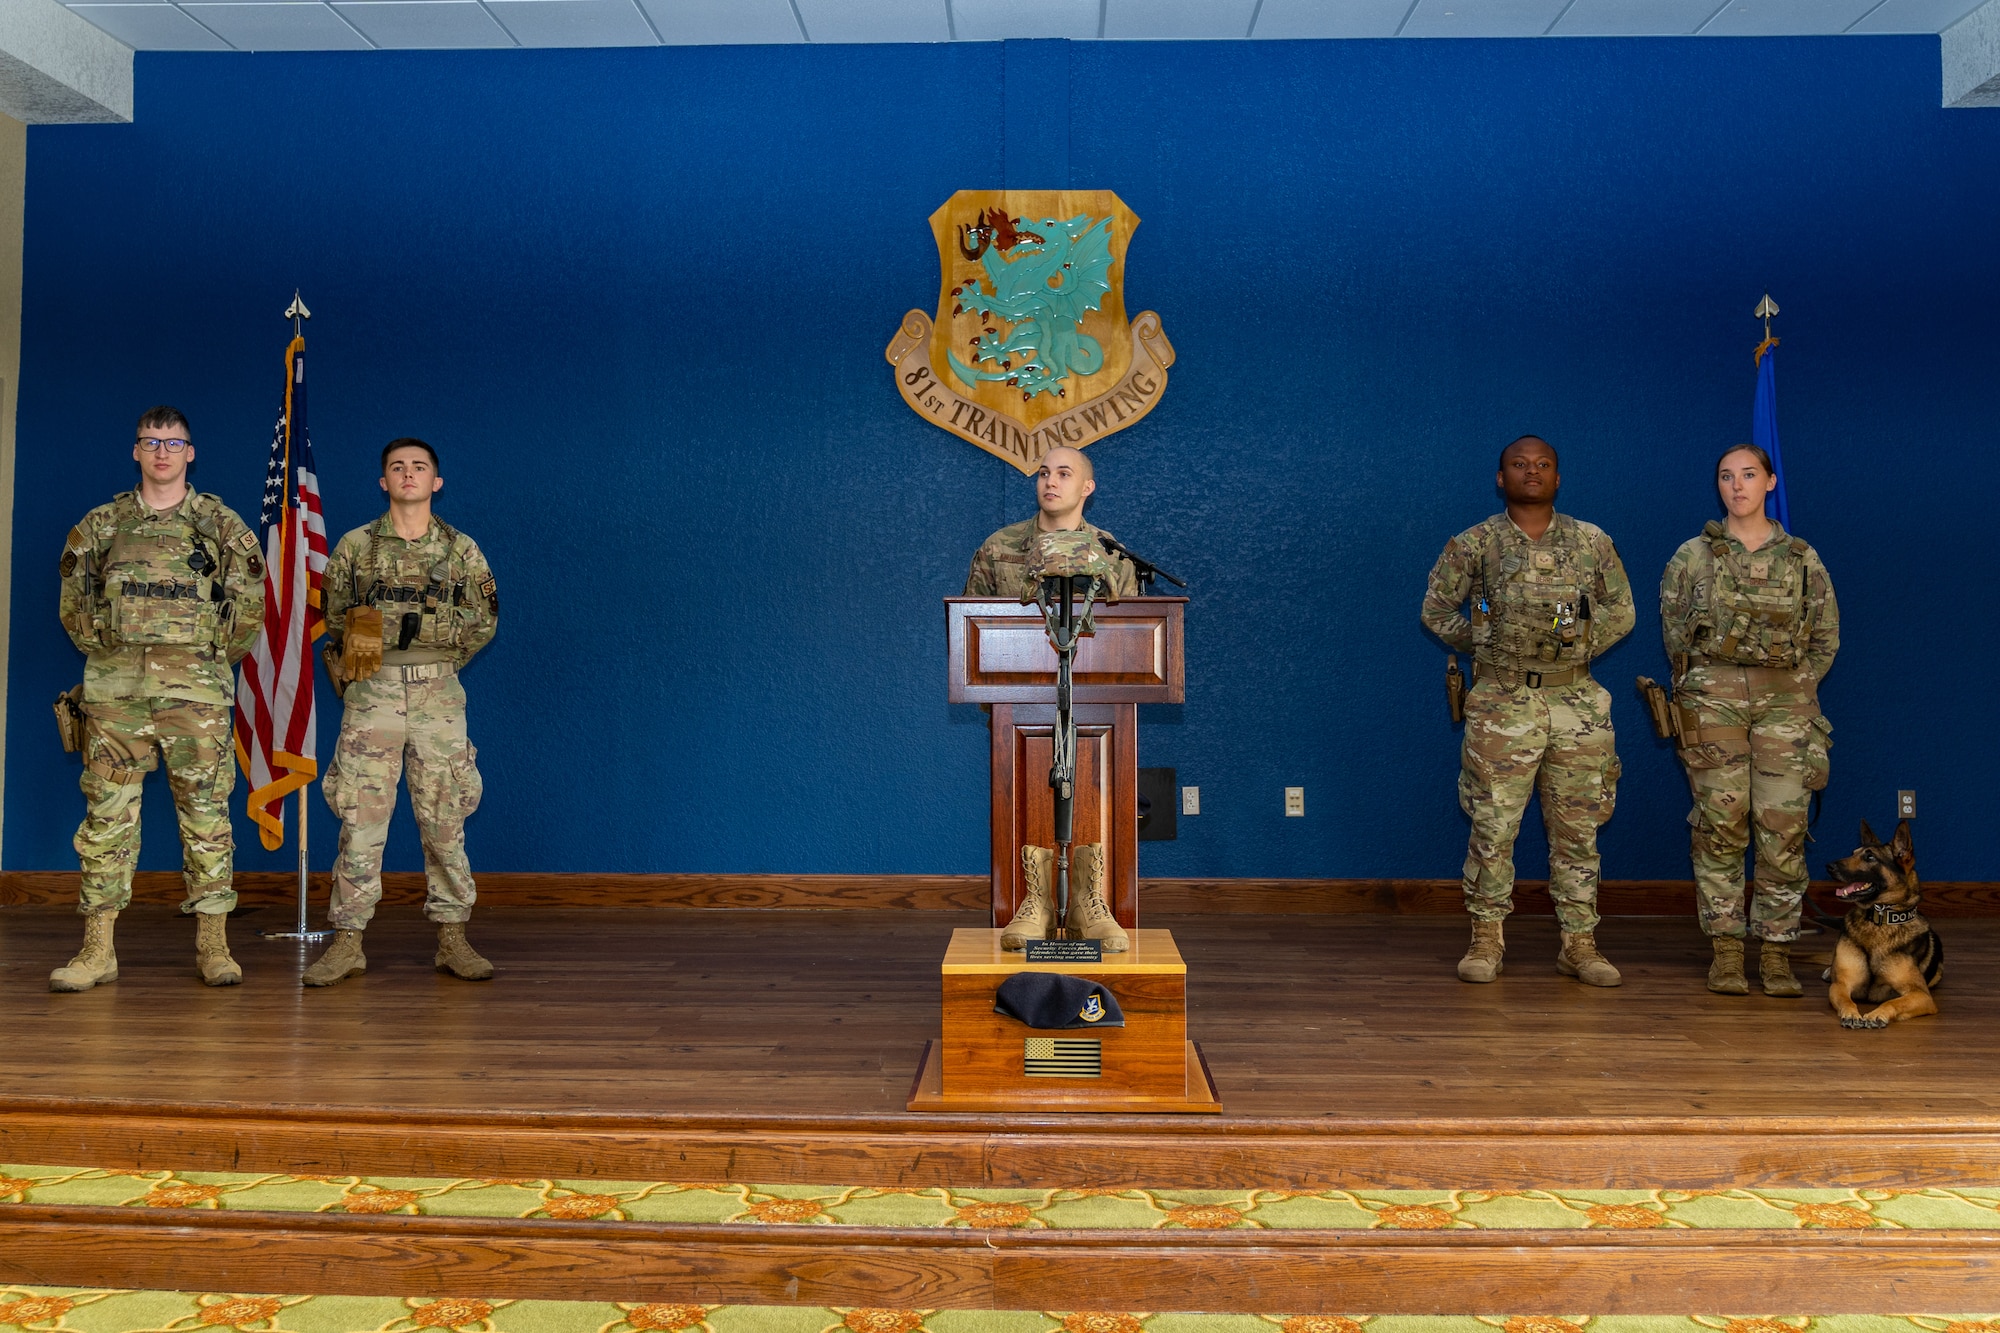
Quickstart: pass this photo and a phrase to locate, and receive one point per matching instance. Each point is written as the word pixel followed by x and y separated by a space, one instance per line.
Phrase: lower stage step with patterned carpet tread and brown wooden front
pixel 1329 1252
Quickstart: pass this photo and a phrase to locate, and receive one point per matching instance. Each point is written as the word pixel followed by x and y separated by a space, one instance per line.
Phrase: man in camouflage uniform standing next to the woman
pixel 1547 593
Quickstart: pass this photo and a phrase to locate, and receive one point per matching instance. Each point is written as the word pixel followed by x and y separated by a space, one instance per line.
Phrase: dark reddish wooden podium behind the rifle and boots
pixel 1001 657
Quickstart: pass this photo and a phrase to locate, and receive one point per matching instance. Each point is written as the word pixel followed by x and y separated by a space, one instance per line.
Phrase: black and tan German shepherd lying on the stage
pixel 1889 956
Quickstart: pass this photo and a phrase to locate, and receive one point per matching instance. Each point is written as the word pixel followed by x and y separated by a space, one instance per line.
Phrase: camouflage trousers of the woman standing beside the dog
pixel 1753 790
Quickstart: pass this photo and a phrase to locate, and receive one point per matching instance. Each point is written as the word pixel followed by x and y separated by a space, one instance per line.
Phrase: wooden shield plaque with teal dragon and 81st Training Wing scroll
pixel 1031 345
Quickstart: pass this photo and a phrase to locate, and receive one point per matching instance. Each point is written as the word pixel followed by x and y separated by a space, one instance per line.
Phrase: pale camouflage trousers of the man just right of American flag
pixel 389 726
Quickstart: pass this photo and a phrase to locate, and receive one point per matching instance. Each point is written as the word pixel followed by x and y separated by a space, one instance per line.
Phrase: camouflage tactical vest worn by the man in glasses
pixel 163 581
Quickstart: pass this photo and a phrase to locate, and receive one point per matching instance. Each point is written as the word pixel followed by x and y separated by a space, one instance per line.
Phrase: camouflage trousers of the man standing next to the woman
pixel 1557 738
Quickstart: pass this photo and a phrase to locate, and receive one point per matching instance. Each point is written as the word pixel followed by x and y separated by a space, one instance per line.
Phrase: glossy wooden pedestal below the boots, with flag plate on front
pixel 989 1062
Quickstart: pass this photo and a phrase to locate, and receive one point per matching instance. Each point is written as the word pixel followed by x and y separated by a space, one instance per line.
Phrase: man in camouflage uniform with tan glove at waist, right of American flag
pixel 439 605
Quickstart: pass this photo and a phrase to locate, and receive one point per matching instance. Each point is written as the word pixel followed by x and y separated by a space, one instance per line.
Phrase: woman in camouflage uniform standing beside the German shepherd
pixel 1751 631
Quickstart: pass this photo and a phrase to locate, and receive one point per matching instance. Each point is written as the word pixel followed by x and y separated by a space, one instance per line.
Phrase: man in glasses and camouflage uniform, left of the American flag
pixel 163 591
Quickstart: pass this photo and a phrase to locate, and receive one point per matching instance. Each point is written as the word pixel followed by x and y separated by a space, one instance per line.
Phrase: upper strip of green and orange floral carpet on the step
pixel 1147 1210
